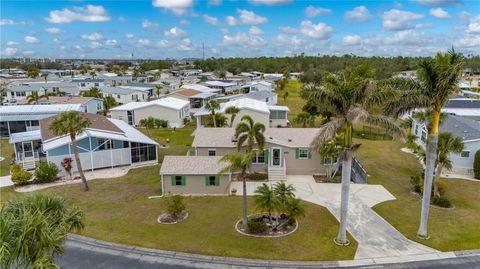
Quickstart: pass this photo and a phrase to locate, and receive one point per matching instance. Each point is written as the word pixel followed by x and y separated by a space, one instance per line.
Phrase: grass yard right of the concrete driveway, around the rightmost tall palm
pixel 449 229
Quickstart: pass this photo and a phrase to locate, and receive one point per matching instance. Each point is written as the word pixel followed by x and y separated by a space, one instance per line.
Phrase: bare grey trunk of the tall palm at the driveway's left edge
pixel 346 176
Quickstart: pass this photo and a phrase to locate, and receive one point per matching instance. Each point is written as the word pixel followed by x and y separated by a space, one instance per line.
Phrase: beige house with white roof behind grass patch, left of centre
pixel 171 109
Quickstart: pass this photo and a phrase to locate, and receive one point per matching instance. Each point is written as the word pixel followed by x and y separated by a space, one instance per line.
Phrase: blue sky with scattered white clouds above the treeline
pixel 177 28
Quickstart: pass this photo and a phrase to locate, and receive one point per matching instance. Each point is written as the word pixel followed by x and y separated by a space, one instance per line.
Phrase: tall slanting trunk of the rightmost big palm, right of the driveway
pixel 427 183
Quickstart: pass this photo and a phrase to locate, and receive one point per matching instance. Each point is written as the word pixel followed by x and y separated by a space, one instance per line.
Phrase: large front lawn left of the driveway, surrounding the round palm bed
pixel 118 210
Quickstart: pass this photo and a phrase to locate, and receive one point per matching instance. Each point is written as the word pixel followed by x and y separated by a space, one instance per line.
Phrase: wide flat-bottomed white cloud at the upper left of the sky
pixel 89 13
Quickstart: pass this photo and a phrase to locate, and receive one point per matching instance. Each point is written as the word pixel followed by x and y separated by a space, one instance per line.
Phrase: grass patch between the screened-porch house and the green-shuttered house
pixel 180 140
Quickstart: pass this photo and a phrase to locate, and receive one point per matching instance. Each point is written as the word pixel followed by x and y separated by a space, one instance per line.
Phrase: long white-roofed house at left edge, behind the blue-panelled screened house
pixel 22 118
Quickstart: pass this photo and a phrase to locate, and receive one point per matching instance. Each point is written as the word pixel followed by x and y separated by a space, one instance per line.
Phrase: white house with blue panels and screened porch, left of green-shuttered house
pixel 106 143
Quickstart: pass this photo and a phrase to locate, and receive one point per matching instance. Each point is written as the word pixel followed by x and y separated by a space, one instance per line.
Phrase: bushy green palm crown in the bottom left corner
pixel 33 229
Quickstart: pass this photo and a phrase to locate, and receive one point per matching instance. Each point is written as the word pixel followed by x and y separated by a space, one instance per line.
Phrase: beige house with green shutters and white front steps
pixel 287 151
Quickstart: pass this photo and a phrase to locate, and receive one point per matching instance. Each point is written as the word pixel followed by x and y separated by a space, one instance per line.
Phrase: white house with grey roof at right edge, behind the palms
pixel 465 128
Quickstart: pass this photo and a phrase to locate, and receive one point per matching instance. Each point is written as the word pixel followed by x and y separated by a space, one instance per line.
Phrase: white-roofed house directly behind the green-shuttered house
pixel 270 116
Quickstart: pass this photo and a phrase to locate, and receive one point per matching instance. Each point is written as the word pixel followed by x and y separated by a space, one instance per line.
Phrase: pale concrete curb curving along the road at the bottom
pixel 205 261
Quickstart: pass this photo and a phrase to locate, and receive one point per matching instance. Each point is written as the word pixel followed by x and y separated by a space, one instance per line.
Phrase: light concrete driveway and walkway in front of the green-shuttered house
pixel 376 237
